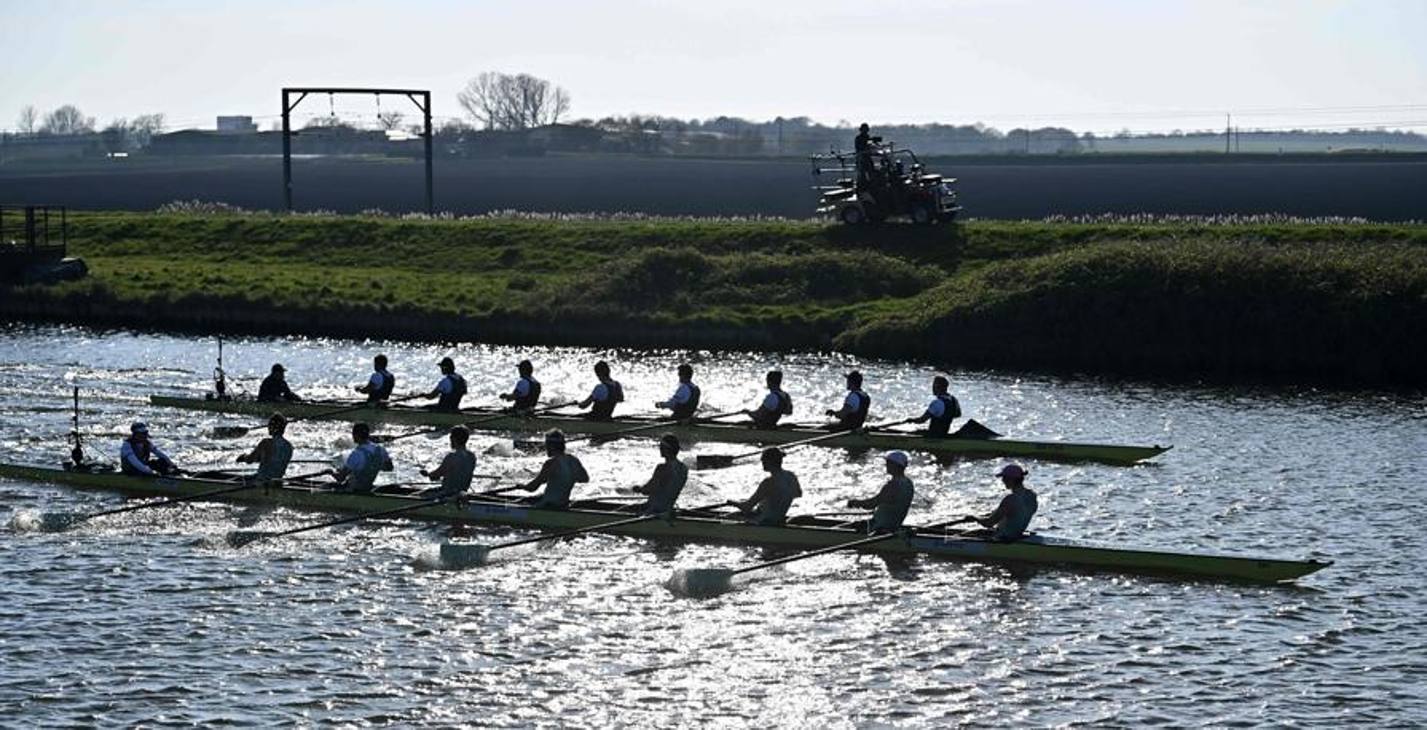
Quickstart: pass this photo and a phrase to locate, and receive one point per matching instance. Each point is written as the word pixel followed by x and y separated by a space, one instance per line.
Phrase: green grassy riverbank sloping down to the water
pixel 1325 302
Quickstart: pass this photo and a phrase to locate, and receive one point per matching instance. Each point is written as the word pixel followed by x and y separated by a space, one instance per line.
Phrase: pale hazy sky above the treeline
pixel 1090 65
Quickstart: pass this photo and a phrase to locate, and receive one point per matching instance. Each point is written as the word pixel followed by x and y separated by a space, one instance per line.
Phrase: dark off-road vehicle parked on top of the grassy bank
pixel 881 185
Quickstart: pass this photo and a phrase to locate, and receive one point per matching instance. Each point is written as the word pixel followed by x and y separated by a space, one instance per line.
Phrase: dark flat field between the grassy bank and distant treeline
pixel 1383 189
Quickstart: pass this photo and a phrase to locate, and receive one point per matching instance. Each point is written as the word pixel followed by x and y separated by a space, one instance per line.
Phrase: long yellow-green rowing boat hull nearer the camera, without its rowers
pixel 804 534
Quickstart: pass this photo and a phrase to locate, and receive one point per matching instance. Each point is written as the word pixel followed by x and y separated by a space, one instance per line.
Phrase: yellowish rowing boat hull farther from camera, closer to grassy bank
pixel 717 433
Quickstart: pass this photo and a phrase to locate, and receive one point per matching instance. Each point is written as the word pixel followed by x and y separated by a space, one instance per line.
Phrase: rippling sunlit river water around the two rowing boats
pixel 148 618
